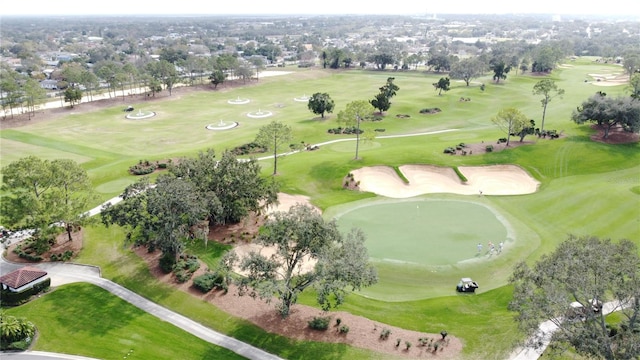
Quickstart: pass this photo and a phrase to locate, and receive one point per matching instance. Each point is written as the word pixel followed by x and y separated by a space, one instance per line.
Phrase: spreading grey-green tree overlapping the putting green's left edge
pixel 298 237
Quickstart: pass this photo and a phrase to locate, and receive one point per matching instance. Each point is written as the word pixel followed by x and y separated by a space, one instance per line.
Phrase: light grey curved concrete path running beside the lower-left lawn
pixel 61 273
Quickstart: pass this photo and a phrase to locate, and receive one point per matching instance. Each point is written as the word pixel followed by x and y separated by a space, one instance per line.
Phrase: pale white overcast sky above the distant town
pixel 262 7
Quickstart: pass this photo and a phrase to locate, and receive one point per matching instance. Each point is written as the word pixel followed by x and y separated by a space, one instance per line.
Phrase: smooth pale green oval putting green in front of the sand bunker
pixel 427 232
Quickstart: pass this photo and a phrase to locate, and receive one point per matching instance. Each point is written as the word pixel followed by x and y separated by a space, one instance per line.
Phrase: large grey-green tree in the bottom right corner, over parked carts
pixel 587 271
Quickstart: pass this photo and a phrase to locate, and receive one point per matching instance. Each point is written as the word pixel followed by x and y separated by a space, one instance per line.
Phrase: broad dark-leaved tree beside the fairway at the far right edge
pixel 609 112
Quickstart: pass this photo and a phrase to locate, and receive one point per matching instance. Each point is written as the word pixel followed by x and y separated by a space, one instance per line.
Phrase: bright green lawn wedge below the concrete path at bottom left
pixel 83 316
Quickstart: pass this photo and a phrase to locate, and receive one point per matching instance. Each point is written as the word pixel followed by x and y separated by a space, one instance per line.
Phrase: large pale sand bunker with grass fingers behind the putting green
pixel 427 179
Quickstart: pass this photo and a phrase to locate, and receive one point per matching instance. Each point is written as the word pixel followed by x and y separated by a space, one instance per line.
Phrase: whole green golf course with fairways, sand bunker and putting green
pixel 422 228
